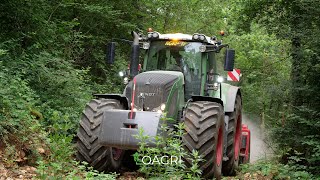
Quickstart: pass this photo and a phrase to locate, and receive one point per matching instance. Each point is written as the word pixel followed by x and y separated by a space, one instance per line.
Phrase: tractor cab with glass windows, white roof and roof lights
pixel 193 55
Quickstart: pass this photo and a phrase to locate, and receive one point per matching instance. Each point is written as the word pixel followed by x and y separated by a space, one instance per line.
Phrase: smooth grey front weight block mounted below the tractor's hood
pixel 119 130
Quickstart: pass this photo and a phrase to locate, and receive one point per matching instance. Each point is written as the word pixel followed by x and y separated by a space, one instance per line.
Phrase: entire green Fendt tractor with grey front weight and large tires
pixel 181 77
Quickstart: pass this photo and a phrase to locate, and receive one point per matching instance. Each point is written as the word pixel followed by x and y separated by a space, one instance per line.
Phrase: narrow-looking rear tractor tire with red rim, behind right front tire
pixel 233 139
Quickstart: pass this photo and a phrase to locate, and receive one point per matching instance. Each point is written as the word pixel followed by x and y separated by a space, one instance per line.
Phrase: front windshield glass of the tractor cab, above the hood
pixel 180 56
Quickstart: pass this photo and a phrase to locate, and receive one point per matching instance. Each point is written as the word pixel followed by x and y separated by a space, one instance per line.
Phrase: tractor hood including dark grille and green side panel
pixel 153 89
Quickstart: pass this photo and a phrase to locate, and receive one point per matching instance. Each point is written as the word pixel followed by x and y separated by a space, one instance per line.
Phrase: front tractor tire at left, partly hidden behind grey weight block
pixel 99 157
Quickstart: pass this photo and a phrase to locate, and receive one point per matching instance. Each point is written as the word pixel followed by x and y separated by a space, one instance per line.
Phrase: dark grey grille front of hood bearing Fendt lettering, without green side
pixel 152 89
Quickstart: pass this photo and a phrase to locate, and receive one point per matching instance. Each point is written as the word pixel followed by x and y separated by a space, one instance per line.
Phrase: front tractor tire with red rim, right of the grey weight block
pixel 204 125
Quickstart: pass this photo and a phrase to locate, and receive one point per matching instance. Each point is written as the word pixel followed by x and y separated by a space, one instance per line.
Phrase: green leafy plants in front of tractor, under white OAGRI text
pixel 165 159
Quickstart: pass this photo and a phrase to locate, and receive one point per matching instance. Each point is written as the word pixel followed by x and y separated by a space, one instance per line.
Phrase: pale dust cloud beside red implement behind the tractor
pixel 259 147
